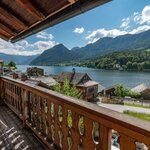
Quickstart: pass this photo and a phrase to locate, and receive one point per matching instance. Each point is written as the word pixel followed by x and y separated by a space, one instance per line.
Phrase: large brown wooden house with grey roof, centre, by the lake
pixel 82 81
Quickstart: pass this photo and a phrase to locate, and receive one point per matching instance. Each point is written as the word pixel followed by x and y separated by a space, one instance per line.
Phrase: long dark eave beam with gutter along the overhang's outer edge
pixel 59 16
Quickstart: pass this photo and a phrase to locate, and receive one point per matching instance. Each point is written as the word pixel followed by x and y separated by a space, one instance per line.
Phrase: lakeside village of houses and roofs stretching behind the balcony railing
pixel 90 90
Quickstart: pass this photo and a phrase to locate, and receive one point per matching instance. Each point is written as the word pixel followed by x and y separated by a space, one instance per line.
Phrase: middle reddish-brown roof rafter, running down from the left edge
pixel 5 13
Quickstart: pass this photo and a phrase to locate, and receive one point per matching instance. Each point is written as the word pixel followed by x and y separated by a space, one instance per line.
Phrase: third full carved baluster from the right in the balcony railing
pixel 88 142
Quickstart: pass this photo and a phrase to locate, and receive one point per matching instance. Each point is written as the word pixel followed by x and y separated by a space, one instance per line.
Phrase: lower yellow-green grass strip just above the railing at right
pixel 142 116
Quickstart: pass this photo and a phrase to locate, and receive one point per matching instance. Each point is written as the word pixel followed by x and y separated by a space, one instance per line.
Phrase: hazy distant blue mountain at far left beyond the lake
pixel 18 59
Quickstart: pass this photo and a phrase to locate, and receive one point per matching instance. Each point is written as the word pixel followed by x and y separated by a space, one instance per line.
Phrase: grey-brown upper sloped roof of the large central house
pixel 73 78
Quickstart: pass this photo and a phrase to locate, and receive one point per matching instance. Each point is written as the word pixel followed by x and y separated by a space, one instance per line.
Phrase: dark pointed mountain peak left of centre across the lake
pixel 57 55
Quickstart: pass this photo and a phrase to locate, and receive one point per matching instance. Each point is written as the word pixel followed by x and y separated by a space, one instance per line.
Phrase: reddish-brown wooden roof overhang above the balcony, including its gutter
pixel 21 18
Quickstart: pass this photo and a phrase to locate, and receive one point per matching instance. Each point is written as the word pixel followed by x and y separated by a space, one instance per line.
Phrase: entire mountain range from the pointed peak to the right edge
pixel 60 54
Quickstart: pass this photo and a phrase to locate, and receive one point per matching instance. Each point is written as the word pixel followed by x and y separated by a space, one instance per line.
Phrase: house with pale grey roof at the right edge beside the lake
pixel 144 90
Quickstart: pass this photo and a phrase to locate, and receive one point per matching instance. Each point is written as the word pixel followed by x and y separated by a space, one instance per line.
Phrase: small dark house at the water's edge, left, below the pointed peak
pixel 34 71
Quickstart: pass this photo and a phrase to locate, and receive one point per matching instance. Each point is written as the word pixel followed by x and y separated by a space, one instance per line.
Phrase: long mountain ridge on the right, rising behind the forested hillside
pixel 121 43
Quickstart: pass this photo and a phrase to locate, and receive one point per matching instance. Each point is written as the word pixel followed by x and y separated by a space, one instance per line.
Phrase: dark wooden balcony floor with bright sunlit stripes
pixel 13 135
